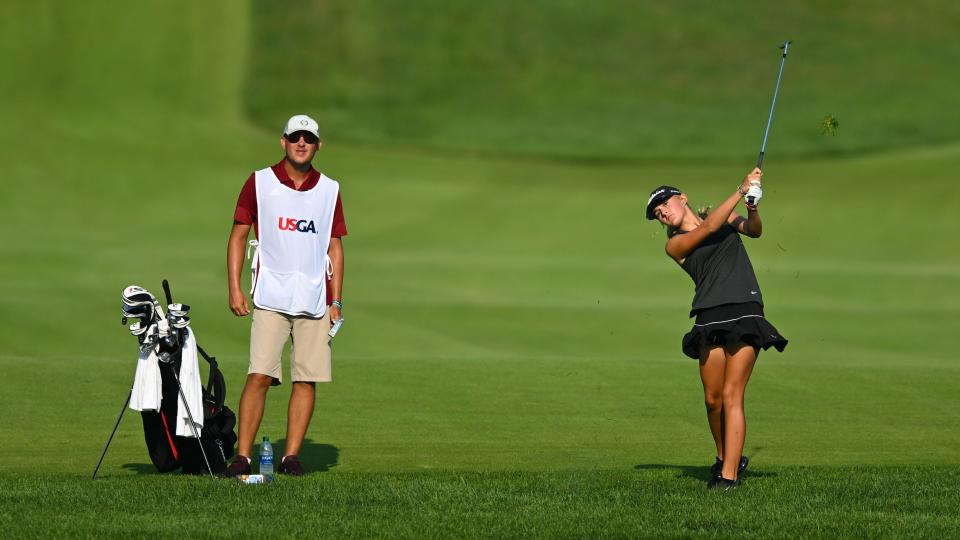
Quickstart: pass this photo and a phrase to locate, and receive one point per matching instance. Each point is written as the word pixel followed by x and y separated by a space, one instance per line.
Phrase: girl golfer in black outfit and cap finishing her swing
pixel 730 328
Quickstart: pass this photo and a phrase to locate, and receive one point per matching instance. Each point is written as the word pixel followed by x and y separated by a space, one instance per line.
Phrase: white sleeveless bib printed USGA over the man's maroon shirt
pixel 291 268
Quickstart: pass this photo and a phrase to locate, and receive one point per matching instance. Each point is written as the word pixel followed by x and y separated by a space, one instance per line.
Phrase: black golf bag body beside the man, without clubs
pixel 170 452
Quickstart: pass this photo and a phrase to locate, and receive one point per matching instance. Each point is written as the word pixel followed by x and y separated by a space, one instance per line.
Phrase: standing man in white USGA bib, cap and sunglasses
pixel 297 277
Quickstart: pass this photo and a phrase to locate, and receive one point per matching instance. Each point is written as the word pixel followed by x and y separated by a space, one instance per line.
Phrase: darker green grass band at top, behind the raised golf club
pixel 617 80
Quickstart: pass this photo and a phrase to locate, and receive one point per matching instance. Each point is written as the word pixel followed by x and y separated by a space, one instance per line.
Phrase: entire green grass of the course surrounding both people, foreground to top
pixel 510 364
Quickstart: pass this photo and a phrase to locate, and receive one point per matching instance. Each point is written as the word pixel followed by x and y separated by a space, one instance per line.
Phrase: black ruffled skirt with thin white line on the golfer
pixel 730 324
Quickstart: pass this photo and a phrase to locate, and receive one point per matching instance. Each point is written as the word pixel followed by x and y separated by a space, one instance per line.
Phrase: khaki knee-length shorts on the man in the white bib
pixel 309 352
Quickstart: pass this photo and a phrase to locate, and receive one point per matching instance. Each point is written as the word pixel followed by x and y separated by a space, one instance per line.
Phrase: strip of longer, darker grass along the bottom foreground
pixel 653 501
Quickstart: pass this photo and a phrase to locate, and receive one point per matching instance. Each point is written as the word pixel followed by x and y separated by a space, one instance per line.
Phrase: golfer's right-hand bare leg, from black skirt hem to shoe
pixel 739 366
